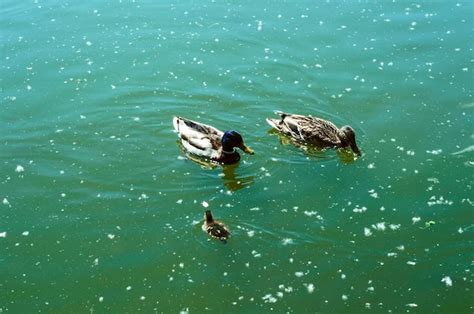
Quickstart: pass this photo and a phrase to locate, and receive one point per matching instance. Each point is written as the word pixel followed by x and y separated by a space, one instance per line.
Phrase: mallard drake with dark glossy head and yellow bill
pixel 208 142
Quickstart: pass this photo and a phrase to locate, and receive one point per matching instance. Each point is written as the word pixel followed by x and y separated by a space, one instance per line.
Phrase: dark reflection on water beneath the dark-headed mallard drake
pixel 231 179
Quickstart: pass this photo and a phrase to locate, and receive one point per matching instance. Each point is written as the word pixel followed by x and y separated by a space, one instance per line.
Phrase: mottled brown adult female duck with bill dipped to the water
pixel 315 131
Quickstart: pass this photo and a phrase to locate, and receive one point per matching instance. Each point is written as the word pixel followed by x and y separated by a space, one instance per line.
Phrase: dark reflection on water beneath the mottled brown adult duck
pixel 313 151
